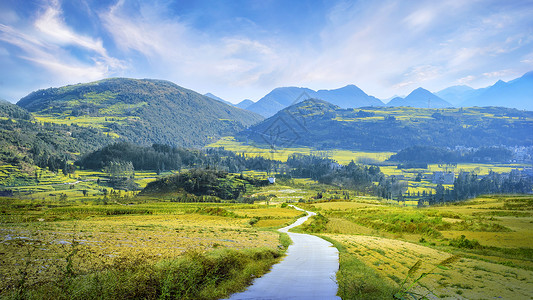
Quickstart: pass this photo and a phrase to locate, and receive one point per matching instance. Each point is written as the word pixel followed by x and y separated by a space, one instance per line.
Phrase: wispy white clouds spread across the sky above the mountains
pixel 384 47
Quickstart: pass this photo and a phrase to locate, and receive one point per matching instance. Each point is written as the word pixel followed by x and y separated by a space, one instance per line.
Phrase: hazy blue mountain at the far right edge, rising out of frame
pixel 517 93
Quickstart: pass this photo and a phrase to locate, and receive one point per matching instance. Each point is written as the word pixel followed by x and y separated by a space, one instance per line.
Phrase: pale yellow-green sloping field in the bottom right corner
pixel 468 278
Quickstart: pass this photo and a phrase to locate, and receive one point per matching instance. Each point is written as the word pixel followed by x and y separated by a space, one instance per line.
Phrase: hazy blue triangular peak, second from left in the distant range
pixel 349 96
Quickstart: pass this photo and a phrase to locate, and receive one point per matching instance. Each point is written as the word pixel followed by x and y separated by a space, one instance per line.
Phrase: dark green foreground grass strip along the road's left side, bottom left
pixel 195 275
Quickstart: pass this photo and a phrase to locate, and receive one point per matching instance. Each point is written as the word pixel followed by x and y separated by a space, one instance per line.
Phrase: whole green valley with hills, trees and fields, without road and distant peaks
pixel 102 193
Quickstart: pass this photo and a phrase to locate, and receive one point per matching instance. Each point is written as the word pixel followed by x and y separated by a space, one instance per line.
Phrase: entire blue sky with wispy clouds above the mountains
pixel 243 49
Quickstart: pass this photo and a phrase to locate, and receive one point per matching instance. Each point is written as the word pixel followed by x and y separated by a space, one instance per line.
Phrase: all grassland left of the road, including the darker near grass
pixel 56 243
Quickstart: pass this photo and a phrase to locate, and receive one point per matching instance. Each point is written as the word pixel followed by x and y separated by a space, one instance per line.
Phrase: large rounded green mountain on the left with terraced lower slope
pixel 143 111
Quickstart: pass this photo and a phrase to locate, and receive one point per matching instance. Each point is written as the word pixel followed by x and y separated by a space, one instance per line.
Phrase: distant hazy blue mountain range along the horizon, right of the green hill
pixel 517 93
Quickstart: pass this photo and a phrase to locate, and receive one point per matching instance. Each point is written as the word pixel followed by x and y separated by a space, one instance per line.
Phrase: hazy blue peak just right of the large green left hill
pixel 280 98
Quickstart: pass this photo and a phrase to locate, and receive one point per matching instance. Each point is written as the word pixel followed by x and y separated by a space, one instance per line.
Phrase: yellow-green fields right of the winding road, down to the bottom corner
pixel 493 235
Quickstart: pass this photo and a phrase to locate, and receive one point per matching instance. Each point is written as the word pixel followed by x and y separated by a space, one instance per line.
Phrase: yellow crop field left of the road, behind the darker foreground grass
pixel 41 238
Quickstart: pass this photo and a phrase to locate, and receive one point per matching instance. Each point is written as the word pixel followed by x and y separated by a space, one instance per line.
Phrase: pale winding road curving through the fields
pixel 307 272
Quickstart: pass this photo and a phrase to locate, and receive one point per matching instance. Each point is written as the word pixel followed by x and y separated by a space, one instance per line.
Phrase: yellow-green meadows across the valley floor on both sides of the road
pixel 72 235
